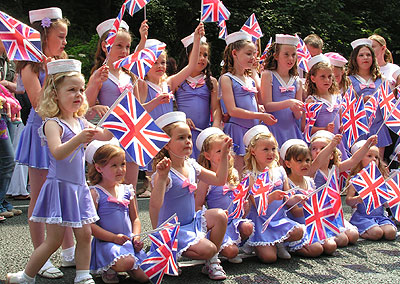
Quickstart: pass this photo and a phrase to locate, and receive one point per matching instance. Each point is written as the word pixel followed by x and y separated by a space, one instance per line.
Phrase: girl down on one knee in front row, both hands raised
pixel 173 192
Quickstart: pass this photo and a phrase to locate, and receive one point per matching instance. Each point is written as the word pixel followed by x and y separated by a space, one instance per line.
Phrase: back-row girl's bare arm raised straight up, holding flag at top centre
pixel 174 80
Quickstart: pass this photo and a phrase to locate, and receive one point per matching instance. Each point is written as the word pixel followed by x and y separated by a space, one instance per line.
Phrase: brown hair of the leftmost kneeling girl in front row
pixel 101 158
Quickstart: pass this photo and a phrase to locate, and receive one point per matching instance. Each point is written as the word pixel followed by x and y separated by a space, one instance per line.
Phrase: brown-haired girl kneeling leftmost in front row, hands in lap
pixel 114 246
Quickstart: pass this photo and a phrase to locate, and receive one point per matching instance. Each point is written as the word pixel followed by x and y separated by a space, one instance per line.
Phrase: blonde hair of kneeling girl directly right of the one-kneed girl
pixel 203 161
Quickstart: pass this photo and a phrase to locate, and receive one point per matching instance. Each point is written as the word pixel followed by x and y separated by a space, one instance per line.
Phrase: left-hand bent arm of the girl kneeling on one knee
pixel 158 191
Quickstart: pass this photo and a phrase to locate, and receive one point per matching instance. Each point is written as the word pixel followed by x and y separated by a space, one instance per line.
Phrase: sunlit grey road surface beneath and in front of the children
pixel 366 262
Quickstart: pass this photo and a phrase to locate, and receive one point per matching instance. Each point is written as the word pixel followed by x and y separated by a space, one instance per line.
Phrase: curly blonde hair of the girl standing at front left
pixel 48 105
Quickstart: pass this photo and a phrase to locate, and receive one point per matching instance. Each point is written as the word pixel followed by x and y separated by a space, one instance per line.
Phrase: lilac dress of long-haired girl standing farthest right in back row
pixel 384 138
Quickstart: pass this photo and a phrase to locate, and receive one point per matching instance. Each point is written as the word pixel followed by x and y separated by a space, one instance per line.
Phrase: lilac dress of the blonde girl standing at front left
pixel 65 197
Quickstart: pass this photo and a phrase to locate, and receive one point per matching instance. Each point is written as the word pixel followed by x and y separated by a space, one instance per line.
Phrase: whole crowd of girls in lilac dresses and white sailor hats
pixel 243 123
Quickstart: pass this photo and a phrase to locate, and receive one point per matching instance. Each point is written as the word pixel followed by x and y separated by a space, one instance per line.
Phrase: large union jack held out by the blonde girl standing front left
pixel 135 129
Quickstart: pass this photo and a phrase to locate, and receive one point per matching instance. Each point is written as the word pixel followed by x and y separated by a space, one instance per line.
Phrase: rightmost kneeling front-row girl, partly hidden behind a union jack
pixel 375 225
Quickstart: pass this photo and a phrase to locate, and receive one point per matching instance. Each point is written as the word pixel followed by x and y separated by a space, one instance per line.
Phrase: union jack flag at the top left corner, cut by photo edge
pixel 20 41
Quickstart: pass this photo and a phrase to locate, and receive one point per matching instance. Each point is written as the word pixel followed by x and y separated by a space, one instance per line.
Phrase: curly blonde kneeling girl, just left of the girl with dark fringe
pixel 262 152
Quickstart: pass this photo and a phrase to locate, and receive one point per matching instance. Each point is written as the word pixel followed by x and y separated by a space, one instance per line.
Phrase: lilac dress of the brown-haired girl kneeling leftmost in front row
pixel 105 254
